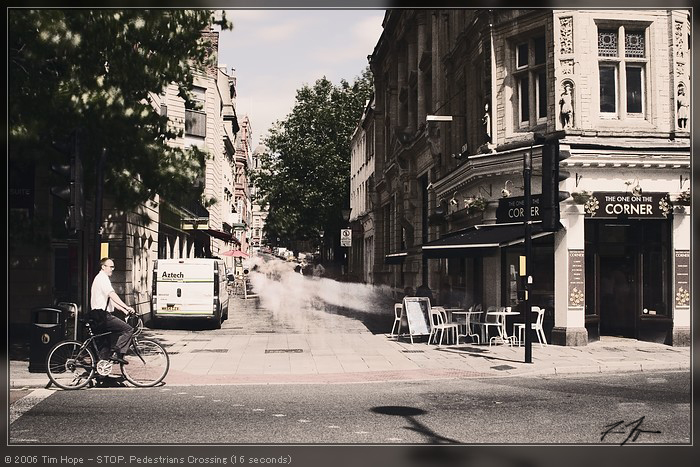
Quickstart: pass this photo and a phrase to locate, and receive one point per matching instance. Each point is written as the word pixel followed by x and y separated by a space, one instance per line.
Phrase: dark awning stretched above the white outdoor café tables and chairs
pixel 480 240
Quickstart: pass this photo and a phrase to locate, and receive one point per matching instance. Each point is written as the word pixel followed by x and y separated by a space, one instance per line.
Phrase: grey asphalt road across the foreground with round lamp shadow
pixel 632 409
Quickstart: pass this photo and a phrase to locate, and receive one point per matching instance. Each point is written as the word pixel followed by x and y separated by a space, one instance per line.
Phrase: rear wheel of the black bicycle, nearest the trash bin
pixel 69 366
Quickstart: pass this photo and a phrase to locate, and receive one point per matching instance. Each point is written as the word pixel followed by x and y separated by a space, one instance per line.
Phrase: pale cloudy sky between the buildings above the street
pixel 276 52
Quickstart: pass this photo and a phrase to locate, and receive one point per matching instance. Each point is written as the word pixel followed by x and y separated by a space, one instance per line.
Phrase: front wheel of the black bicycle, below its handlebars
pixel 148 363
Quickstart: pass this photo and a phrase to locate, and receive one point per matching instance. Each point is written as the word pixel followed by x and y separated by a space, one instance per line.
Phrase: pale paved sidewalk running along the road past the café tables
pixel 360 357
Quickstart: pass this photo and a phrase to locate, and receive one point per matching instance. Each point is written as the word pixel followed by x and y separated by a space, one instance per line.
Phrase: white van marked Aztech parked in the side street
pixel 190 288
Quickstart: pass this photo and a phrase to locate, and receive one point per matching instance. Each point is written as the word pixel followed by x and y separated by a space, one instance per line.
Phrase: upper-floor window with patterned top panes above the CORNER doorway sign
pixel 622 63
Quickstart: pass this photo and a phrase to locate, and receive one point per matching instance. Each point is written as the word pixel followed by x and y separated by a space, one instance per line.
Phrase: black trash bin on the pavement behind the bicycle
pixel 48 329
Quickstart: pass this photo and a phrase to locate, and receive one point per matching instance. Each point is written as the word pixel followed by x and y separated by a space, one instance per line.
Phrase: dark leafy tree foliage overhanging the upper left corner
pixel 97 71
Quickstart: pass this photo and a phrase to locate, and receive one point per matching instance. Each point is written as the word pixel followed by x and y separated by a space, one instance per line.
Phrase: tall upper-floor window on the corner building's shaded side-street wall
pixel 531 82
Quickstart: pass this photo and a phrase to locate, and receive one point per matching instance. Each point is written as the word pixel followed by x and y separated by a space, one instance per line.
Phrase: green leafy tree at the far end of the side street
pixel 305 176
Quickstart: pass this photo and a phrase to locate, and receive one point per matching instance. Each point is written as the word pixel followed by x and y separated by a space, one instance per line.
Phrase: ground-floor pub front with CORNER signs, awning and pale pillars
pixel 618 265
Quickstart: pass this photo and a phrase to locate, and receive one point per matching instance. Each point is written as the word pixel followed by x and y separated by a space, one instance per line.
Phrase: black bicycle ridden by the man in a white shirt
pixel 73 364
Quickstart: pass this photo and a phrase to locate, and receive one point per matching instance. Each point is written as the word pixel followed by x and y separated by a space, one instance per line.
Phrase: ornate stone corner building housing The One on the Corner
pixel 464 97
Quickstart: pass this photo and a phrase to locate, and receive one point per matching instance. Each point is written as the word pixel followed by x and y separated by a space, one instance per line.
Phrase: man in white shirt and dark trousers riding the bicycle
pixel 103 301
